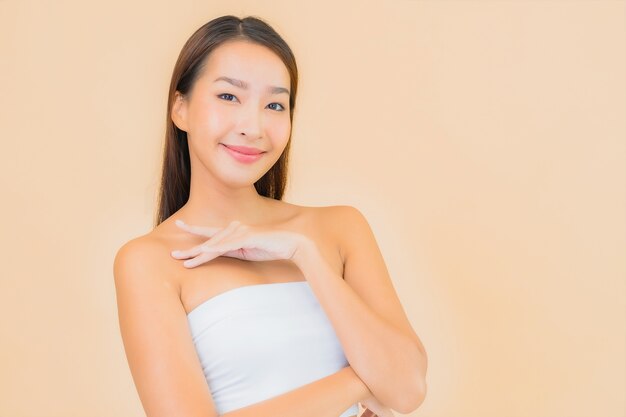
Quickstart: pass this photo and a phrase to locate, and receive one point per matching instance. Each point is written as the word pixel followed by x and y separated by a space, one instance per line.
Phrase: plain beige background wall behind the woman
pixel 484 141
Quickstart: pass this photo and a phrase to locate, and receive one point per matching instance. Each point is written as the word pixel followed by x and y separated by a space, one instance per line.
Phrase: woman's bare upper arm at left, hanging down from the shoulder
pixel 154 329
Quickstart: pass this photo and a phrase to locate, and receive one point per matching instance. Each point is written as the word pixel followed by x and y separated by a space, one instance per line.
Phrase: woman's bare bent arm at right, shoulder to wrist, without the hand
pixel 368 318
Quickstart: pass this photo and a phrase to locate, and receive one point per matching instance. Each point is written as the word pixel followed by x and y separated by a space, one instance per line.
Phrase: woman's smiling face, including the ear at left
pixel 240 100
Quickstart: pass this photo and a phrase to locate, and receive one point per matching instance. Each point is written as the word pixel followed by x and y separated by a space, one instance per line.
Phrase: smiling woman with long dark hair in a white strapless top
pixel 241 304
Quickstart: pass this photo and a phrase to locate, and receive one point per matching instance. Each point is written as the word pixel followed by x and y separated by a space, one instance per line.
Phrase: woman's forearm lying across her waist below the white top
pixel 326 397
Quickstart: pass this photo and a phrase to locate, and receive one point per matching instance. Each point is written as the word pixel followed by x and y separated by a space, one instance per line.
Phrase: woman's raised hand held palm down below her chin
pixel 241 241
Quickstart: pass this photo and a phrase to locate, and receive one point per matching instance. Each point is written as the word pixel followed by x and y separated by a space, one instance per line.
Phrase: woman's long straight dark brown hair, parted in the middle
pixel 176 173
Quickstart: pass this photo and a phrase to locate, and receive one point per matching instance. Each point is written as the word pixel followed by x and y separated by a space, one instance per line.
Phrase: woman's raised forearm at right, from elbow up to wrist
pixel 386 360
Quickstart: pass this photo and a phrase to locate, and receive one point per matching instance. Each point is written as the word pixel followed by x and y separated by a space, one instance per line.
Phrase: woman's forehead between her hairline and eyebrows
pixel 253 63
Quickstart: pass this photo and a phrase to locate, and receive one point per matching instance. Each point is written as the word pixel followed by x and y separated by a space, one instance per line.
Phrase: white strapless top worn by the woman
pixel 259 341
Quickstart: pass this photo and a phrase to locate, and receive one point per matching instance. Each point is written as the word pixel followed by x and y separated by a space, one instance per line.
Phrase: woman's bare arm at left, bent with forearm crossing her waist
pixel 164 363
